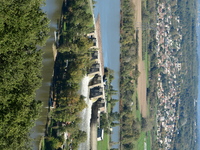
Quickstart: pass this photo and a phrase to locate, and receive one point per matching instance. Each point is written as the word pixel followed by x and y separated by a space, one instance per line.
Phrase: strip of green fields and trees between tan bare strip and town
pixel 149 55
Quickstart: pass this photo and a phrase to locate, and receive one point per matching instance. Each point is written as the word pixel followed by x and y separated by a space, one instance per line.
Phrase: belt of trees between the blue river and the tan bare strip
pixel 129 125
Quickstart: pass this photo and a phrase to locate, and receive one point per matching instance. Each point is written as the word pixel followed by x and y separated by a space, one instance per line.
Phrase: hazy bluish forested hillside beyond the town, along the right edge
pixel 187 10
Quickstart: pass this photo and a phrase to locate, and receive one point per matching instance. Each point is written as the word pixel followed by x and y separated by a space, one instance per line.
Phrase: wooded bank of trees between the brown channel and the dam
pixel 72 63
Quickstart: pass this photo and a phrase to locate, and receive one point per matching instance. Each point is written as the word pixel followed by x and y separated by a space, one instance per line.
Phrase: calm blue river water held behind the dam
pixel 109 11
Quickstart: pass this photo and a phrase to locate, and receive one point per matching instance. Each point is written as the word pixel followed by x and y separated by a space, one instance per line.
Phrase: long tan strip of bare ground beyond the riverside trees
pixel 141 65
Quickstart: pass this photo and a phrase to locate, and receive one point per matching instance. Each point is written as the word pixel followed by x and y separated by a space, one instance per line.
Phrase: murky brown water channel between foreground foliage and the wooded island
pixel 53 10
